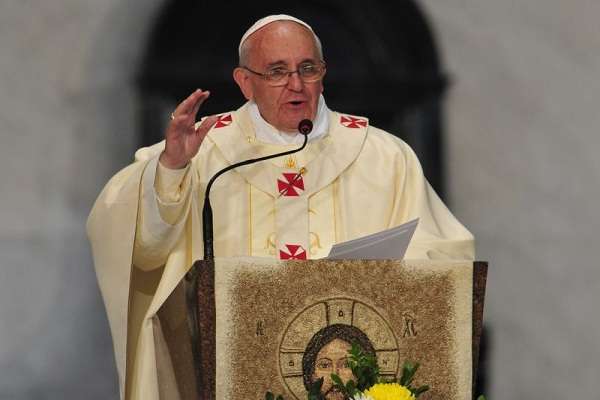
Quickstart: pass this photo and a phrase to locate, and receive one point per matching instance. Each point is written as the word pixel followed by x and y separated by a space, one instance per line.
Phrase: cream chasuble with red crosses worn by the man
pixel 353 181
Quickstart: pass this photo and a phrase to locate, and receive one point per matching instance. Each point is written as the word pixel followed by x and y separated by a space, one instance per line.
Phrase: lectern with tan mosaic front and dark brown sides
pixel 251 325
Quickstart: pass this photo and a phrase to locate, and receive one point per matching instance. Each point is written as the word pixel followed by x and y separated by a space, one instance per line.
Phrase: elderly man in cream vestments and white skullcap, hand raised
pixel 351 180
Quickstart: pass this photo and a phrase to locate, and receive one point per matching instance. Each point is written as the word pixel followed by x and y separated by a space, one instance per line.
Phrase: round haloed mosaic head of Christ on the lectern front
pixel 317 344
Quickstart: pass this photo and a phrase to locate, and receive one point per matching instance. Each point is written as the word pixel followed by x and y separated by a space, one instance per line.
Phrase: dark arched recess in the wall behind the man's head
pixel 382 63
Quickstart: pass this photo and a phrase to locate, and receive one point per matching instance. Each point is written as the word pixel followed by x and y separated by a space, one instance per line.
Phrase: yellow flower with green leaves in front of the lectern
pixel 369 385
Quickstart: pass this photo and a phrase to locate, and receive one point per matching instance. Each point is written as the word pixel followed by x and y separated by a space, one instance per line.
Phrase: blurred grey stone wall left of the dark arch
pixel 67 120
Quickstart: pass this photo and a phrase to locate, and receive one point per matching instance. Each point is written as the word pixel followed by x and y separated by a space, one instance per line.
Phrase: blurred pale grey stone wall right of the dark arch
pixel 524 167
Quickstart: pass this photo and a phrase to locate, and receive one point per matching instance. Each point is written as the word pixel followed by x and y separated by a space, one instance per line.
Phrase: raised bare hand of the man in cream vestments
pixel 182 138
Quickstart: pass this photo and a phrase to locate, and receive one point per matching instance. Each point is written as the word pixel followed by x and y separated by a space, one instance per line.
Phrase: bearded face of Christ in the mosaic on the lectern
pixel 333 359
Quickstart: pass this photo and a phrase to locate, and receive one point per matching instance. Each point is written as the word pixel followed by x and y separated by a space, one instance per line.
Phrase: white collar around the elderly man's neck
pixel 267 133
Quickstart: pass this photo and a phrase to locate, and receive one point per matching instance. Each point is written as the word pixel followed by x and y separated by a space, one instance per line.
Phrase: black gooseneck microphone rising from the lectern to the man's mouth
pixel 304 127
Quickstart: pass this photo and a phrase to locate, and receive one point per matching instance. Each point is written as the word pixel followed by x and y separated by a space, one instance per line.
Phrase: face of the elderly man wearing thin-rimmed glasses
pixel 281 44
